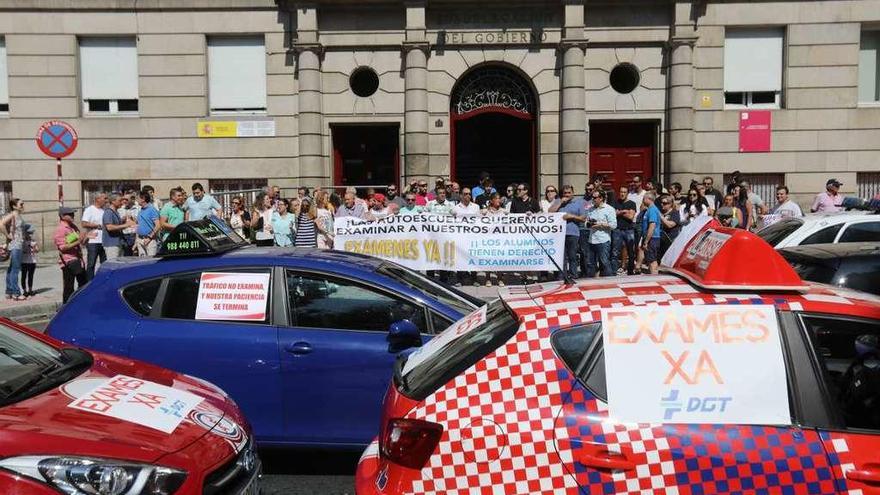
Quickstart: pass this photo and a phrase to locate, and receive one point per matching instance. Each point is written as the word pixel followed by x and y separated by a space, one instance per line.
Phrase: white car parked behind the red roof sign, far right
pixel 823 228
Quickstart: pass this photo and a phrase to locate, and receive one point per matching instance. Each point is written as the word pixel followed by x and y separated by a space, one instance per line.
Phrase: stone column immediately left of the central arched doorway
pixel 415 138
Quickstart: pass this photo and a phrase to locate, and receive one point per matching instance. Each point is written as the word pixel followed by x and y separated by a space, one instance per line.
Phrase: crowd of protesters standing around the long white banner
pixel 607 232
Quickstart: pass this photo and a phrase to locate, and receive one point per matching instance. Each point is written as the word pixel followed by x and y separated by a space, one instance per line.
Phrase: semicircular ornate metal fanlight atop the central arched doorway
pixel 492 87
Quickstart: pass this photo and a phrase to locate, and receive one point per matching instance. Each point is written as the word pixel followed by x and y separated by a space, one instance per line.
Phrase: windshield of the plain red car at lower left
pixel 29 366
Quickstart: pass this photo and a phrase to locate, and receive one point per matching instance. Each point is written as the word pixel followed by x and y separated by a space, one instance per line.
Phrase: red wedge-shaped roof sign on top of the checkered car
pixel 719 257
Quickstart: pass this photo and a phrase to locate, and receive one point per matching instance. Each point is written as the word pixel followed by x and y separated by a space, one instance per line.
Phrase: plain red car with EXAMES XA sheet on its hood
pixel 82 423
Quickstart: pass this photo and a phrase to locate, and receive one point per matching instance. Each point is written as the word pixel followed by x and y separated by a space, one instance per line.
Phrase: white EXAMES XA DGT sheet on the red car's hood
pixel 138 401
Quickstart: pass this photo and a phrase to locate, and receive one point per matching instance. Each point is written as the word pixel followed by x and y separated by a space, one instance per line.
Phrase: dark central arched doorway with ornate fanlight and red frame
pixel 493 117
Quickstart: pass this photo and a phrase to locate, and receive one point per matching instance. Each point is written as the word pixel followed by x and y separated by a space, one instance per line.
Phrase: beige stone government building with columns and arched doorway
pixel 238 93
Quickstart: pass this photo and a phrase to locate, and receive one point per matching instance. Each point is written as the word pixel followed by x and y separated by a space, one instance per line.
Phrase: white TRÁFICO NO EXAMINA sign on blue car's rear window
pixel 233 296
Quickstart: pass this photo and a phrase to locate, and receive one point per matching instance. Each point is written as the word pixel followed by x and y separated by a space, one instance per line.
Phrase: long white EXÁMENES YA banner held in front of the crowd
pixel 516 242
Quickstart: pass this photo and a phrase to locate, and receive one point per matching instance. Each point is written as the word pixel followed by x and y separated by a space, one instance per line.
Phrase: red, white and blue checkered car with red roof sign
pixel 726 374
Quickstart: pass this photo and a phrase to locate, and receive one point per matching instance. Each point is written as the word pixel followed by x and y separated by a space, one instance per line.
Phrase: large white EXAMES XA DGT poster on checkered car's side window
pixel 717 364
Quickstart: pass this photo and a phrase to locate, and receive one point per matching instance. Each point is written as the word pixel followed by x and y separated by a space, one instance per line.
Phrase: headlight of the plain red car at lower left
pixel 92 476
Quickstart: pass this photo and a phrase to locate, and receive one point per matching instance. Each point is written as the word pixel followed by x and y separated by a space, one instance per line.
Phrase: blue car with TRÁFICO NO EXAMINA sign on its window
pixel 309 369
